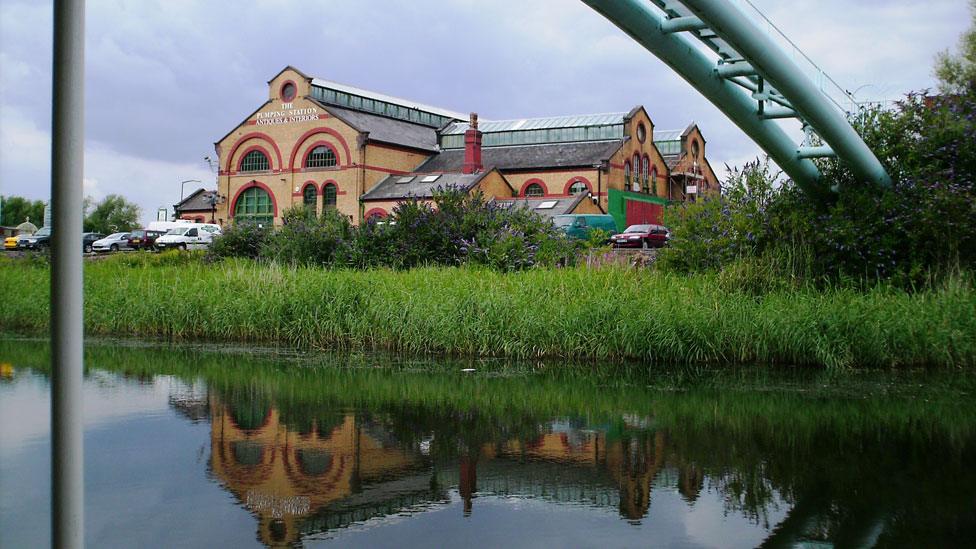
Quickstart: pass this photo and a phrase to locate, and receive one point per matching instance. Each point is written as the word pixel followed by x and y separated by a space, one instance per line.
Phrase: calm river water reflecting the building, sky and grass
pixel 232 447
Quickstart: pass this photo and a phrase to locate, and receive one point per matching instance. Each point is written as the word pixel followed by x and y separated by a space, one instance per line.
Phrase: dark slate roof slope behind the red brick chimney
pixel 522 157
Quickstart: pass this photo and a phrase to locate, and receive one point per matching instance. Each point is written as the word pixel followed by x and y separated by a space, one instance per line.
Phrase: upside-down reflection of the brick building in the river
pixel 344 468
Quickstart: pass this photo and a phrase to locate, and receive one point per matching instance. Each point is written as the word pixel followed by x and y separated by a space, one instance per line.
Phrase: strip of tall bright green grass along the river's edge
pixel 572 313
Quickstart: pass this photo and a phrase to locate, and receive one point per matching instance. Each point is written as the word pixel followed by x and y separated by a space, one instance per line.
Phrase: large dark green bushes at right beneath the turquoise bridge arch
pixel 920 229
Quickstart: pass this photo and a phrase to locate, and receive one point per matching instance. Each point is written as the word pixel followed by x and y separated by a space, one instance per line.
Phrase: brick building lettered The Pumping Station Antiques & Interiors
pixel 327 145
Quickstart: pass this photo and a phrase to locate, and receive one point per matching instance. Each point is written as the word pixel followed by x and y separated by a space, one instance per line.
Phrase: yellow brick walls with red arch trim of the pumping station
pixel 286 130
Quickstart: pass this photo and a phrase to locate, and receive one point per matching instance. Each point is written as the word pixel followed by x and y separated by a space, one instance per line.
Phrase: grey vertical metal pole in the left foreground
pixel 67 335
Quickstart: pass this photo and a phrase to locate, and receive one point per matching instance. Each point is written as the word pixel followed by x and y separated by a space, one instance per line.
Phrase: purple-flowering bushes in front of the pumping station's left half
pixel 458 228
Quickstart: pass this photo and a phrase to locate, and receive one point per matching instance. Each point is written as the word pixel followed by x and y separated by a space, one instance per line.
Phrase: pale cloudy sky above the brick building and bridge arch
pixel 166 78
